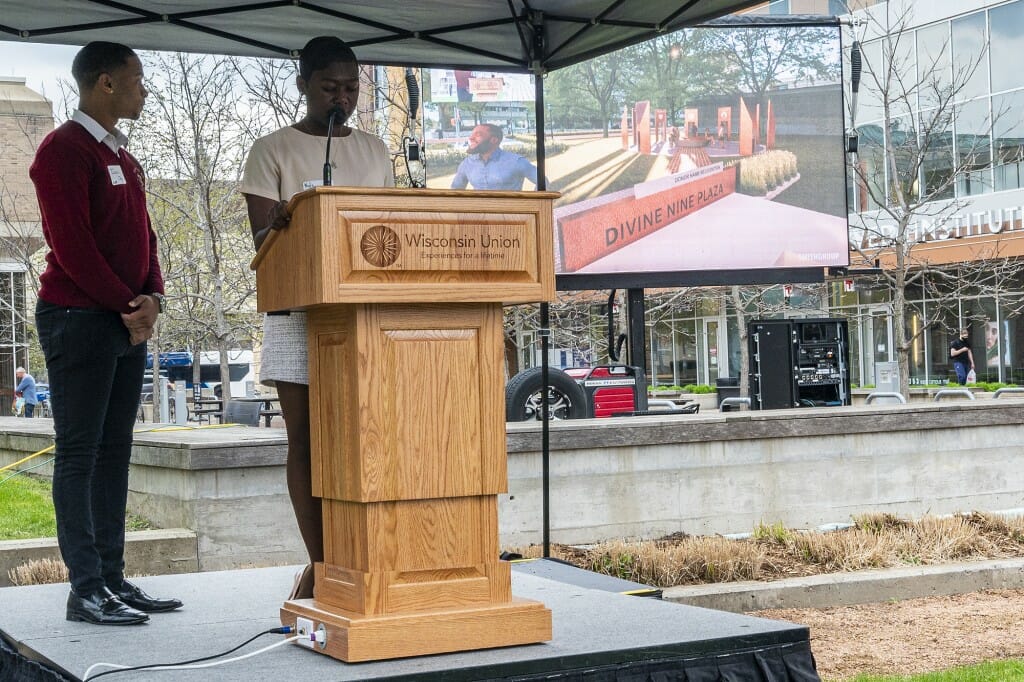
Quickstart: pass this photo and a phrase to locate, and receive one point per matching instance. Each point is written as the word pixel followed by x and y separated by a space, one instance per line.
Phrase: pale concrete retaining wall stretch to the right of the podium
pixel 651 477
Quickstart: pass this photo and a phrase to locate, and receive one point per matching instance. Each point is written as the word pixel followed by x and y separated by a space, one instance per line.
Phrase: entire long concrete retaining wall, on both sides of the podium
pixel 634 478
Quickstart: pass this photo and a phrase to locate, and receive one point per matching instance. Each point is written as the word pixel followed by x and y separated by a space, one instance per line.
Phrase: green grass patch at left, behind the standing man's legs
pixel 28 510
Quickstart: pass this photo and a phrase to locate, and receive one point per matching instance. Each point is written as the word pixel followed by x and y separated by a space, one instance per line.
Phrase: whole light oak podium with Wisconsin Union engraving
pixel 404 290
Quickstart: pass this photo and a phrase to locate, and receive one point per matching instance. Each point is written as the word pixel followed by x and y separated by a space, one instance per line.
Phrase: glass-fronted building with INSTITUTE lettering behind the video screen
pixel 965 102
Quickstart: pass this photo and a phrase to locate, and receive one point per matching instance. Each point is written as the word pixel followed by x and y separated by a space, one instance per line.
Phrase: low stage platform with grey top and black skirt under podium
pixel 601 633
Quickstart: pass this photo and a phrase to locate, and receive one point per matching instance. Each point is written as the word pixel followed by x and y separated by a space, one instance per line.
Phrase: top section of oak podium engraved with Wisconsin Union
pixel 363 245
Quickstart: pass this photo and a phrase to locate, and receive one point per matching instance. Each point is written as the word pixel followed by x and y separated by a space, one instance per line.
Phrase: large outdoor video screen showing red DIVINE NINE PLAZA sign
pixel 707 156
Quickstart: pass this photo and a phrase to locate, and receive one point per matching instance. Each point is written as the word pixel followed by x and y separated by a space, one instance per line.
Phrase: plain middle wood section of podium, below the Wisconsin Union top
pixel 402 414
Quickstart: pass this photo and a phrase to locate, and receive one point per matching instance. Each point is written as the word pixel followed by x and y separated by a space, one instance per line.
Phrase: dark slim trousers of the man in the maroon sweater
pixel 96 379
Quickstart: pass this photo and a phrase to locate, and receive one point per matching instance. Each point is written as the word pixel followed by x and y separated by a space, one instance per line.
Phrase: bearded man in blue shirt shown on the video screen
pixel 490 167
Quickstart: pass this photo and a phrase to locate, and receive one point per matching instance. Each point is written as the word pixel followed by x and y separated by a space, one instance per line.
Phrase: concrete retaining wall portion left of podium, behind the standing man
pixel 227 485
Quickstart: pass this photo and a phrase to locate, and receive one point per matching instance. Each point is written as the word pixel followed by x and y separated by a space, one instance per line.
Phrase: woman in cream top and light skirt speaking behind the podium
pixel 281 165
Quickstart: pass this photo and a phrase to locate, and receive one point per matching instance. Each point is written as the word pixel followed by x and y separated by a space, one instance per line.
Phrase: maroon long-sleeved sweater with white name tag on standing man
pixel 103 248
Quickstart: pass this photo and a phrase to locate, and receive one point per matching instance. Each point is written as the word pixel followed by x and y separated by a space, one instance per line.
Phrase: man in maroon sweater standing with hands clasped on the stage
pixel 99 302
